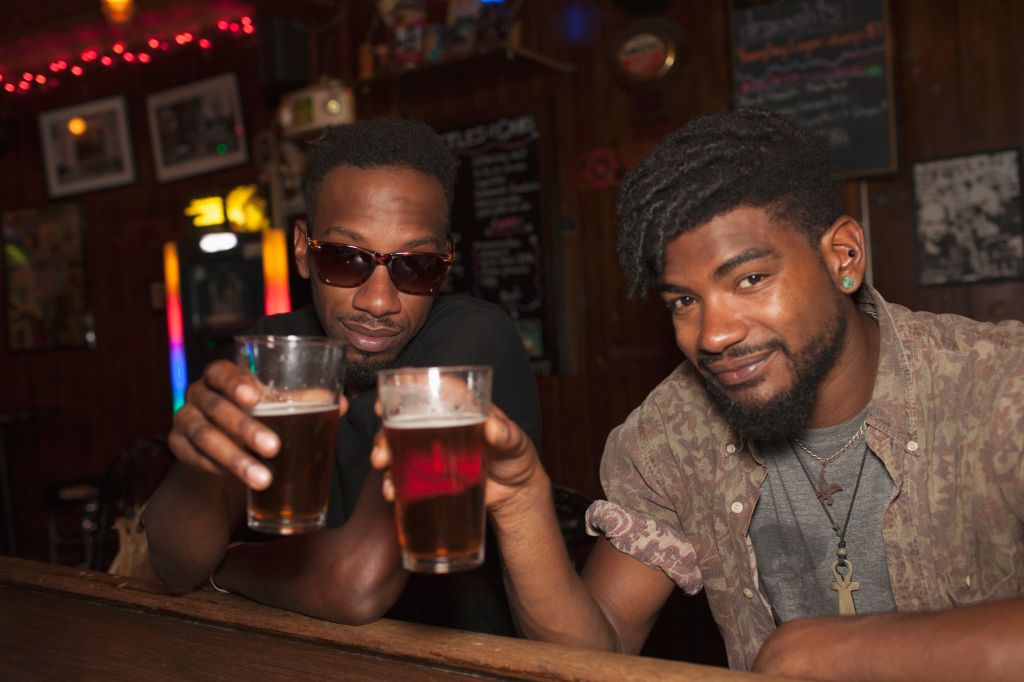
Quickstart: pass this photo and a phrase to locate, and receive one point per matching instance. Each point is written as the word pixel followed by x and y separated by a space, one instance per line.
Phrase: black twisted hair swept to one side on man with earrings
pixel 717 163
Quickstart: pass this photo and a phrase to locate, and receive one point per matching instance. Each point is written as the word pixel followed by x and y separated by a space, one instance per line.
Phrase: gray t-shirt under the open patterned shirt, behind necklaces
pixel 793 540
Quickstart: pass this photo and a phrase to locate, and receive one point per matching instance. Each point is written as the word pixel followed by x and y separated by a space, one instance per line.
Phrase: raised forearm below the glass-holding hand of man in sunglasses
pixel 189 523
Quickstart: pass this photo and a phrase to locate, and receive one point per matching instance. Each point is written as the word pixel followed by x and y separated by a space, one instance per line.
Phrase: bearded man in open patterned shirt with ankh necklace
pixel 819 453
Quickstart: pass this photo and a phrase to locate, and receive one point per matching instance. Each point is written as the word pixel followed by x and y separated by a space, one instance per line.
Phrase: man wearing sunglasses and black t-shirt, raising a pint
pixel 376 247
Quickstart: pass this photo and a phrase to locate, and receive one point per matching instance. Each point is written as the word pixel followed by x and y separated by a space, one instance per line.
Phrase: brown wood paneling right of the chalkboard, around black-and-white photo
pixel 960 89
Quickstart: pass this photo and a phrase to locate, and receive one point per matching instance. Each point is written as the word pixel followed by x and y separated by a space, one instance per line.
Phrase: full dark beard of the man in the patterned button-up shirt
pixel 779 417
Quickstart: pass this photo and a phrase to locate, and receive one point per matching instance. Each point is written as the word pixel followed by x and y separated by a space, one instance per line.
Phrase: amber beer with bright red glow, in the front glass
pixel 439 472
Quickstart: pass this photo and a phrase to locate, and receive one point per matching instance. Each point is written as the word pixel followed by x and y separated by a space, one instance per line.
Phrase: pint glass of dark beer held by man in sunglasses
pixel 301 381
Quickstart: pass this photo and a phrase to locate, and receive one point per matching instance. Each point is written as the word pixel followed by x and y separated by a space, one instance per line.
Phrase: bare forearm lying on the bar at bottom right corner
pixel 978 644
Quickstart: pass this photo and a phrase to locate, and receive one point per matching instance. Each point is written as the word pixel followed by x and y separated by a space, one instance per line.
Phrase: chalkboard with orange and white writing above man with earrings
pixel 825 64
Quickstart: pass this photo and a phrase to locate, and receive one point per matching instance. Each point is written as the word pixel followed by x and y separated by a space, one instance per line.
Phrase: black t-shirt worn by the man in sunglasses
pixel 459 330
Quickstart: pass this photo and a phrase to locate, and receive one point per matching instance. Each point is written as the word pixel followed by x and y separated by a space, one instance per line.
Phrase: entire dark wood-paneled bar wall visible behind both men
pixel 959 90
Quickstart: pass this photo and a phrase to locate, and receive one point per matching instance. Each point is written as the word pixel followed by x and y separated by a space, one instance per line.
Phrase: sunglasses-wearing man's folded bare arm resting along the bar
pixel 351 575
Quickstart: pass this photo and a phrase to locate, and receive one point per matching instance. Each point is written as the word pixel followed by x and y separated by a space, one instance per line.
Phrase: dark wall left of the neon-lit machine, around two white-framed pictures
pixel 101 401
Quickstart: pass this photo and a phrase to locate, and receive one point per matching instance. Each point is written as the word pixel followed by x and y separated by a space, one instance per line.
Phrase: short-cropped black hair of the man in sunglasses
pixel 381 143
